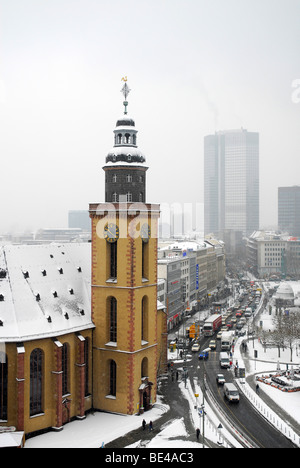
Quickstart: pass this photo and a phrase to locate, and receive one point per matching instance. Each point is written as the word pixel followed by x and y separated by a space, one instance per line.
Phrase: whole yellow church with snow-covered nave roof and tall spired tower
pixel 80 328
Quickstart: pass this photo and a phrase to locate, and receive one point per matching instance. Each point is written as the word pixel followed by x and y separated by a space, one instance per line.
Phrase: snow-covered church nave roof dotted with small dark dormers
pixel 44 290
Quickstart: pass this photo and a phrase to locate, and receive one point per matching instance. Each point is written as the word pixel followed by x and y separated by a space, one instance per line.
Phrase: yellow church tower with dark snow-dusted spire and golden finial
pixel 124 281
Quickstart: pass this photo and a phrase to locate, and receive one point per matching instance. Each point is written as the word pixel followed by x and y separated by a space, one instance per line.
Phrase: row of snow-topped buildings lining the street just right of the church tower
pixel 191 270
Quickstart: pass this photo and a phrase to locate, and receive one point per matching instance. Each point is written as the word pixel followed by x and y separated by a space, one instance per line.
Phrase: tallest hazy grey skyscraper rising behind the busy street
pixel 231 182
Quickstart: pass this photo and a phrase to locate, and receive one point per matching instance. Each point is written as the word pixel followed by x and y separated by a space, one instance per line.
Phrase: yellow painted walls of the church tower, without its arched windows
pixel 129 291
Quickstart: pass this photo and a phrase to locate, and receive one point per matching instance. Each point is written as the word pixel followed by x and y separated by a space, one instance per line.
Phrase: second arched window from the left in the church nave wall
pixel 36 381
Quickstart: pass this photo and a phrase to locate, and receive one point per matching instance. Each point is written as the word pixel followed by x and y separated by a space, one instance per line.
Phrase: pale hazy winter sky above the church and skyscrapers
pixel 194 67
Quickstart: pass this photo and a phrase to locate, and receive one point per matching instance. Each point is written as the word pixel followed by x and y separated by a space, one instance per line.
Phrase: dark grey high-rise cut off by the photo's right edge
pixel 289 210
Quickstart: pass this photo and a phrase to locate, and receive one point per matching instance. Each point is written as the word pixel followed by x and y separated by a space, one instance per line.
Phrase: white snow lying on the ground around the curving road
pixel 103 427
